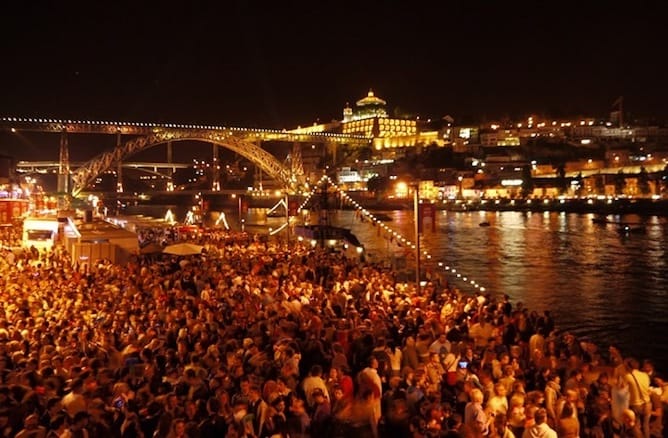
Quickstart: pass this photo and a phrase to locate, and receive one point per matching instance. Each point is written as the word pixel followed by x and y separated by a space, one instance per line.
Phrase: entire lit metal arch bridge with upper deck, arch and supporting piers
pixel 246 142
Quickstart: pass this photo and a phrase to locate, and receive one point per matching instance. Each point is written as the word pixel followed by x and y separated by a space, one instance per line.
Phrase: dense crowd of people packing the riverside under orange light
pixel 261 339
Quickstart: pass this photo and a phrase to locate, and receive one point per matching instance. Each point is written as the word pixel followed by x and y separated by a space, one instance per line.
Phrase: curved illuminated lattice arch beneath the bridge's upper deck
pixel 235 142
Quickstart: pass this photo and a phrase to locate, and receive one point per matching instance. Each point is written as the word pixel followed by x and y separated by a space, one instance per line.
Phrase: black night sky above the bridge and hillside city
pixel 284 63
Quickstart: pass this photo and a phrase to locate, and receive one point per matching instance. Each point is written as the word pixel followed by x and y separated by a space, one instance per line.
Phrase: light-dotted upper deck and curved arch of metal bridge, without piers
pixel 240 140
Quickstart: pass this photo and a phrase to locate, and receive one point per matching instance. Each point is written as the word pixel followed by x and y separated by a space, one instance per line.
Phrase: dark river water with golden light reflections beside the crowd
pixel 601 285
